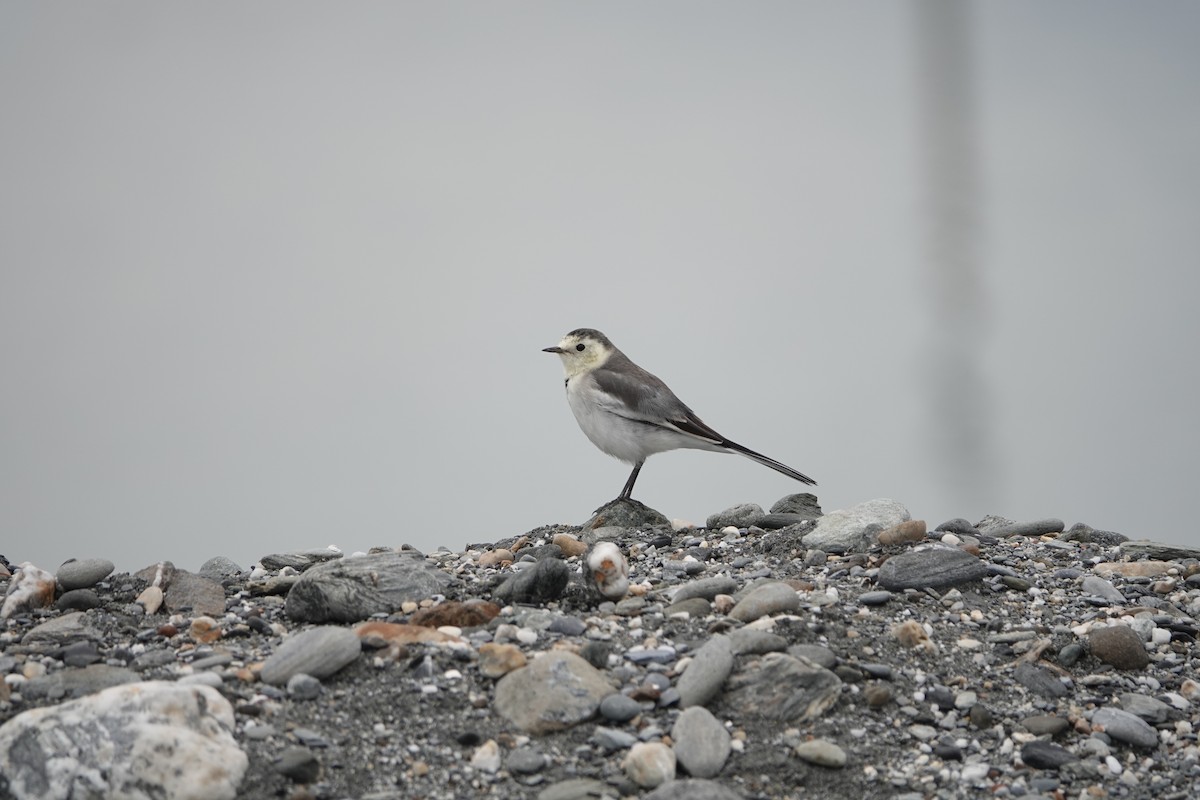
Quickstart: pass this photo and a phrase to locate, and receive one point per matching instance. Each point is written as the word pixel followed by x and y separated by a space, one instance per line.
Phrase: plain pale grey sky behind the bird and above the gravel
pixel 275 276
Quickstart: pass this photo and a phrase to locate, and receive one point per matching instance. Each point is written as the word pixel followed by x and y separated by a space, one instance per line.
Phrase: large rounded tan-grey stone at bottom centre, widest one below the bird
pixel 554 693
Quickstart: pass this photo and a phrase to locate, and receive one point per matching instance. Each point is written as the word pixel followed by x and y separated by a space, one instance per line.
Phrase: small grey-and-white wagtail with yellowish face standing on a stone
pixel 631 414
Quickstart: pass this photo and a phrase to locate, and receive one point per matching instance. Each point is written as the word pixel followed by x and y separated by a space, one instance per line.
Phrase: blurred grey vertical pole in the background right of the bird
pixel 961 425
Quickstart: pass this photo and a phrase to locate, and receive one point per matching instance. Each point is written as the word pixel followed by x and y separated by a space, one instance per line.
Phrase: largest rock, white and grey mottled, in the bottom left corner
pixel 140 741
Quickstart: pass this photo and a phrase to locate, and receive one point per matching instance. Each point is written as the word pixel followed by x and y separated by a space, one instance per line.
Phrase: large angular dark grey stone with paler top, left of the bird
pixel 352 590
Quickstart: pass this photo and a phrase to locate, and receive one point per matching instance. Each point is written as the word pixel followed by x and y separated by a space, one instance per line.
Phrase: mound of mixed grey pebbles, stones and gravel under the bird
pixel 782 654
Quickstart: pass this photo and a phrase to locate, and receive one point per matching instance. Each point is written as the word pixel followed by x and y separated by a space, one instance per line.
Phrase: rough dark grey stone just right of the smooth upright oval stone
pixel 783 688
